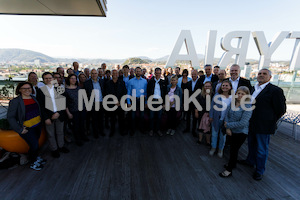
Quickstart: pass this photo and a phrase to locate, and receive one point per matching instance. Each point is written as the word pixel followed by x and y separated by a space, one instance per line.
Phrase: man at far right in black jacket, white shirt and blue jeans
pixel 270 105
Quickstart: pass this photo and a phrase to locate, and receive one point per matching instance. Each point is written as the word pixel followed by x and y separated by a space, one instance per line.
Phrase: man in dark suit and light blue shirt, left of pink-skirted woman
pixel 192 86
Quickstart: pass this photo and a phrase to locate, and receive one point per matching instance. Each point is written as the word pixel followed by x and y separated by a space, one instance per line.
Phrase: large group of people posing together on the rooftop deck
pixel 41 104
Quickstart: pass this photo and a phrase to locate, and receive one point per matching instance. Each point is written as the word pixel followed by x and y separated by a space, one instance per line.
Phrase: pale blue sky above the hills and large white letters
pixel 150 28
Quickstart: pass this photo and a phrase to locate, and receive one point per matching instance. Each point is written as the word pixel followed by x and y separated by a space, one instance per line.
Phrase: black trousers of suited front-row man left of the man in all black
pixel 97 121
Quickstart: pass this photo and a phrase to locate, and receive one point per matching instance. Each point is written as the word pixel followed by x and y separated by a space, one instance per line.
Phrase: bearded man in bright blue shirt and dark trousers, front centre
pixel 137 87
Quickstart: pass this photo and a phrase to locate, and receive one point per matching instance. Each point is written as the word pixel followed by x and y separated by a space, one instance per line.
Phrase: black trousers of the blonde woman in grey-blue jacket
pixel 237 140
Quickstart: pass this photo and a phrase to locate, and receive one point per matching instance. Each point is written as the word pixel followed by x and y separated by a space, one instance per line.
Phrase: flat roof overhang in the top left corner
pixel 54 7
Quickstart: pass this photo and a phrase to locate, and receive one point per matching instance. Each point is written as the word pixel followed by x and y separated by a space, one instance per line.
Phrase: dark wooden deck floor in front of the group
pixel 143 167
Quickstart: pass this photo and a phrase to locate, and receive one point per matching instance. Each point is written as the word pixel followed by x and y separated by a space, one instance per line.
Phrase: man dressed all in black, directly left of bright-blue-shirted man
pixel 117 88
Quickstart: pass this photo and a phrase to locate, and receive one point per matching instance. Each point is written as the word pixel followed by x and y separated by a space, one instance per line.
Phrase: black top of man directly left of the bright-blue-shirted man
pixel 118 89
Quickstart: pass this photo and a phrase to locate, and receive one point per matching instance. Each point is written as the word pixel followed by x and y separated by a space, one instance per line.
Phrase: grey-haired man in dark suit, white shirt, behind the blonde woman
pixel 236 80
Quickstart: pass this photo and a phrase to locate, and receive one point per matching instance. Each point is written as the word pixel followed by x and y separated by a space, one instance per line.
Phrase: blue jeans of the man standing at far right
pixel 258 149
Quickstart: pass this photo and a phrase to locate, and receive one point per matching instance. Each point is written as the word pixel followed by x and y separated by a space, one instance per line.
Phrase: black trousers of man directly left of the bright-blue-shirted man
pixel 120 114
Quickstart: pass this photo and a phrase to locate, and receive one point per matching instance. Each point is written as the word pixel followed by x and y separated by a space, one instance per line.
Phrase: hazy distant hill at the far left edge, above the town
pixel 22 55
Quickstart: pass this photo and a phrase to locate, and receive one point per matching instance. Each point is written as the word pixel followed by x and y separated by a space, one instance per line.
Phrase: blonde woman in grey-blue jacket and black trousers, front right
pixel 237 126
